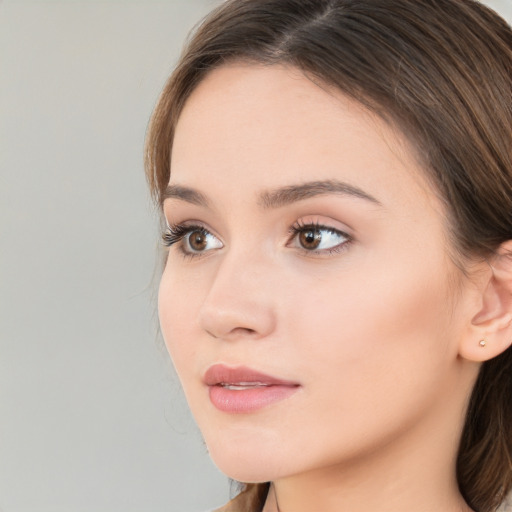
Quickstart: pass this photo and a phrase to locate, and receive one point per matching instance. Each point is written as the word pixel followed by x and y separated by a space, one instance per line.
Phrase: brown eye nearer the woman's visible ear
pixel 317 238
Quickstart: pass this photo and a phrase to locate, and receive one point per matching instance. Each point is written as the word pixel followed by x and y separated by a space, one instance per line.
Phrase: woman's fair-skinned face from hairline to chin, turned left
pixel 308 299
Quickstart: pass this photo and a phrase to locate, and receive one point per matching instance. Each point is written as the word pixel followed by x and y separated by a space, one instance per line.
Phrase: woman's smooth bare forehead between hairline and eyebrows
pixel 247 127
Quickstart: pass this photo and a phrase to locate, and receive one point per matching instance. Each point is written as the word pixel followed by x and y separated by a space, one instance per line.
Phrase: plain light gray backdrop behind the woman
pixel 91 416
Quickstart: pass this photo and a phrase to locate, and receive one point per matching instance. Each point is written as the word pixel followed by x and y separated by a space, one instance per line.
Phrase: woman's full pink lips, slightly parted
pixel 240 389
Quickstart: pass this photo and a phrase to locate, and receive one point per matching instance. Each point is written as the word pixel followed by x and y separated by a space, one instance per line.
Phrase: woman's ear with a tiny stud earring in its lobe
pixel 491 327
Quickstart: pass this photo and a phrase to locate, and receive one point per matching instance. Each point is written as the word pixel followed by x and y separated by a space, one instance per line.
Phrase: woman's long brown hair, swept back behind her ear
pixel 440 70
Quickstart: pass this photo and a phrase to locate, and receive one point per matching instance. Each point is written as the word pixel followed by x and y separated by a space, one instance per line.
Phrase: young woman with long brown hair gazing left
pixel 336 182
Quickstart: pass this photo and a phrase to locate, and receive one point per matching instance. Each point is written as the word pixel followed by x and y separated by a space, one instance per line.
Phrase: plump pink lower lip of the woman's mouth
pixel 248 400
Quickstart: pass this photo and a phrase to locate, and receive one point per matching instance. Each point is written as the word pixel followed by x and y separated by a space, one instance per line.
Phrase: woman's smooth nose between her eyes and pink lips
pixel 240 302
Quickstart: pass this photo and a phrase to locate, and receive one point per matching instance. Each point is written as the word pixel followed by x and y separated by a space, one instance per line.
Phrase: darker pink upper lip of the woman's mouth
pixel 219 374
